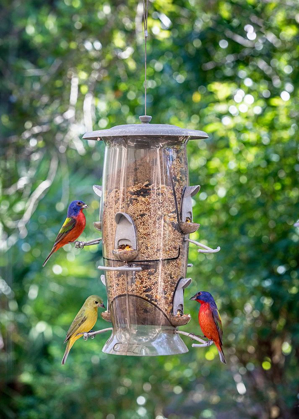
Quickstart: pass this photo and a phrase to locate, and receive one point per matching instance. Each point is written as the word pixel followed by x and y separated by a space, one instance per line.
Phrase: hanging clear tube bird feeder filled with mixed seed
pixel 145 219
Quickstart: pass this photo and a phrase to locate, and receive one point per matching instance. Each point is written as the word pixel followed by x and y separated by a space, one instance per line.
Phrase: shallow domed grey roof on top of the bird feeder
pixel 142 130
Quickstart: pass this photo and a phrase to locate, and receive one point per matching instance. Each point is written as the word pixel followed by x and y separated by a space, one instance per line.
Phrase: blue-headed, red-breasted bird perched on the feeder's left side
pixel 72 227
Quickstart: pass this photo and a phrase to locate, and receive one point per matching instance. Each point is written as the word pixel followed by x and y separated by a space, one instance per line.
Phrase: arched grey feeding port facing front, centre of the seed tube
pixel 125 238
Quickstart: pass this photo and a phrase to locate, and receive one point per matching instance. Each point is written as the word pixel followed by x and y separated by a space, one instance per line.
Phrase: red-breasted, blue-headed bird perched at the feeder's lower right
pixel 209 320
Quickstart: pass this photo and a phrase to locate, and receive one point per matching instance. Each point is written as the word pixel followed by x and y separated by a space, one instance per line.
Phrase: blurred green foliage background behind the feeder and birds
pixel 228 67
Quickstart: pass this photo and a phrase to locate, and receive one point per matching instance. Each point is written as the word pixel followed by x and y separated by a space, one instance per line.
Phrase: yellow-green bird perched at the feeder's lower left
pixel 83 322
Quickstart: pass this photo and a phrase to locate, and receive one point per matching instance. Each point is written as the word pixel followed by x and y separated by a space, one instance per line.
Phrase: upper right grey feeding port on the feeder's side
pixel 186 224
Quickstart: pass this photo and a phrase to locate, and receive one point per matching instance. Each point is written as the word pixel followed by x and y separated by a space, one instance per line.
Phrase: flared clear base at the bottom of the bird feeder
pixel 145 341
